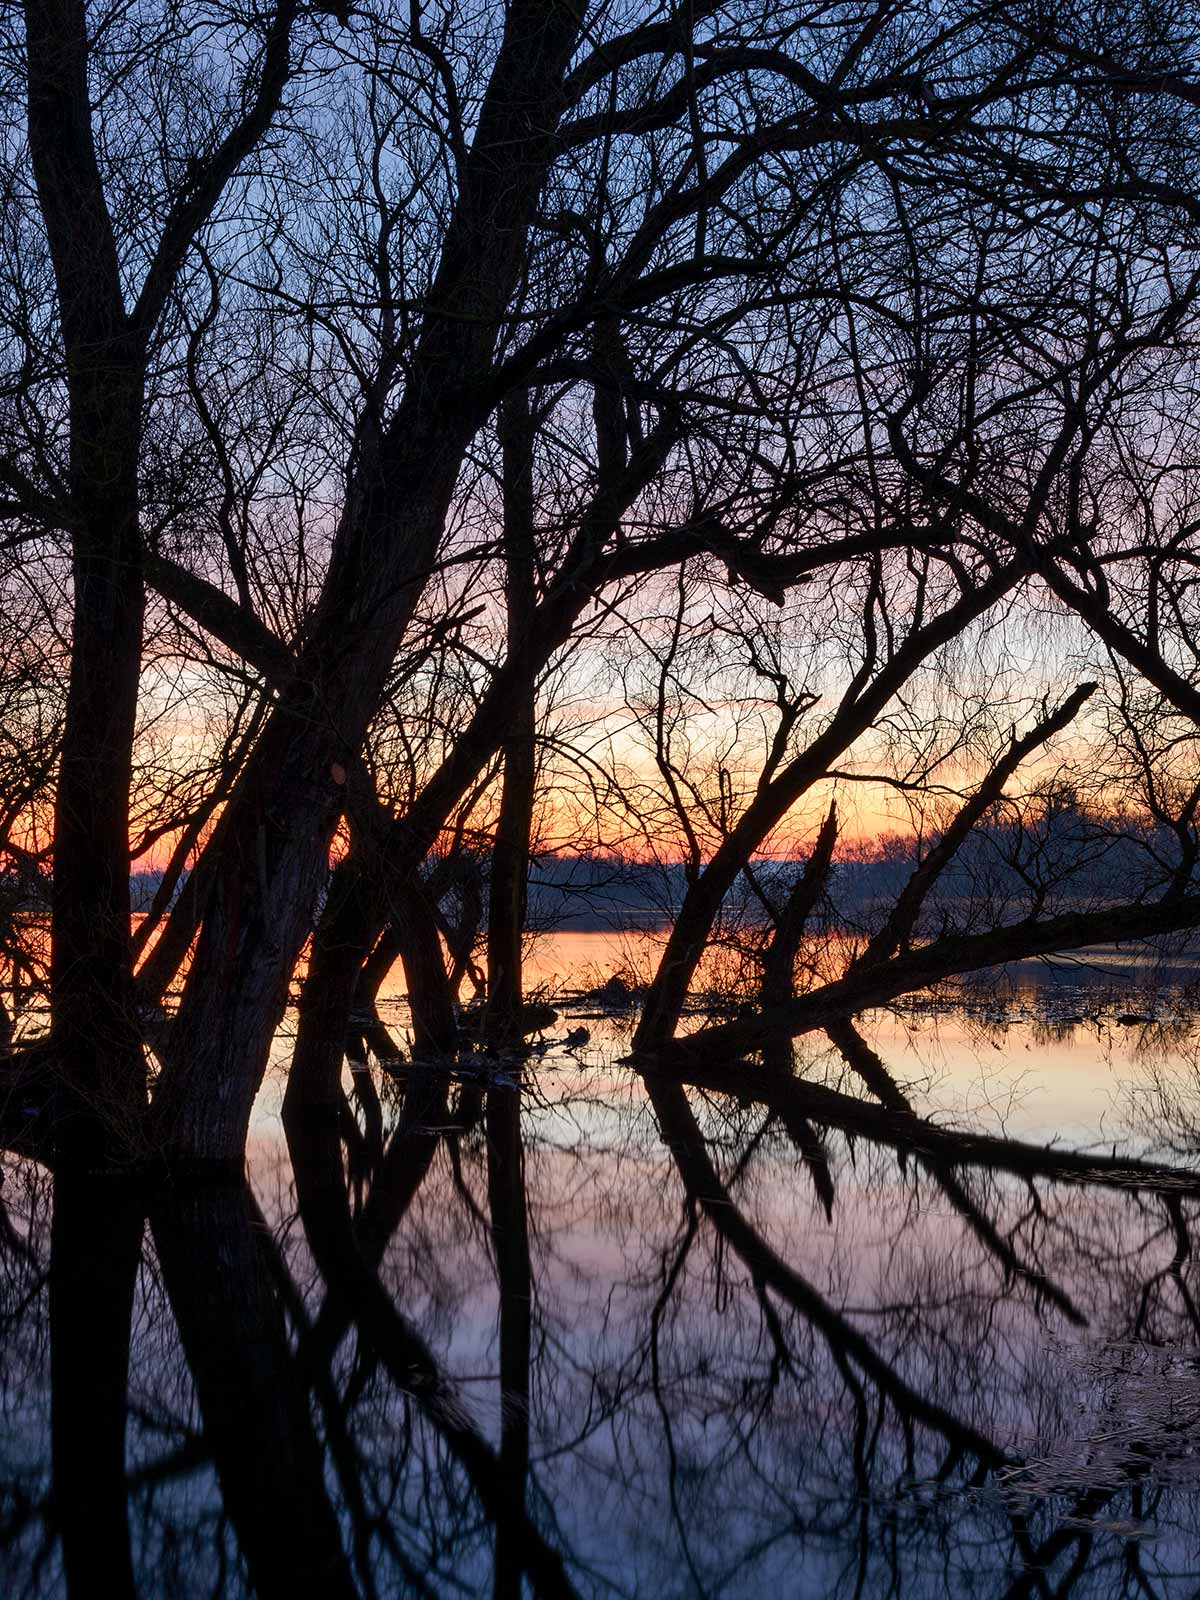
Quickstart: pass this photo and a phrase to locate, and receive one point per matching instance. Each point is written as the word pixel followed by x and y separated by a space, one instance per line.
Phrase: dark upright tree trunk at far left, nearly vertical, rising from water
pixel 94 1018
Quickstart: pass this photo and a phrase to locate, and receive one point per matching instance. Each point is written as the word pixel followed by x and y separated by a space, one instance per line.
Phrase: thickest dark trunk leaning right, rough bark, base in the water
pixel 284 812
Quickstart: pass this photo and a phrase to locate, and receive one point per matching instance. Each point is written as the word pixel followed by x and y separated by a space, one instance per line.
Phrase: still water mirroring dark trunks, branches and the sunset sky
pixel 559 1330
